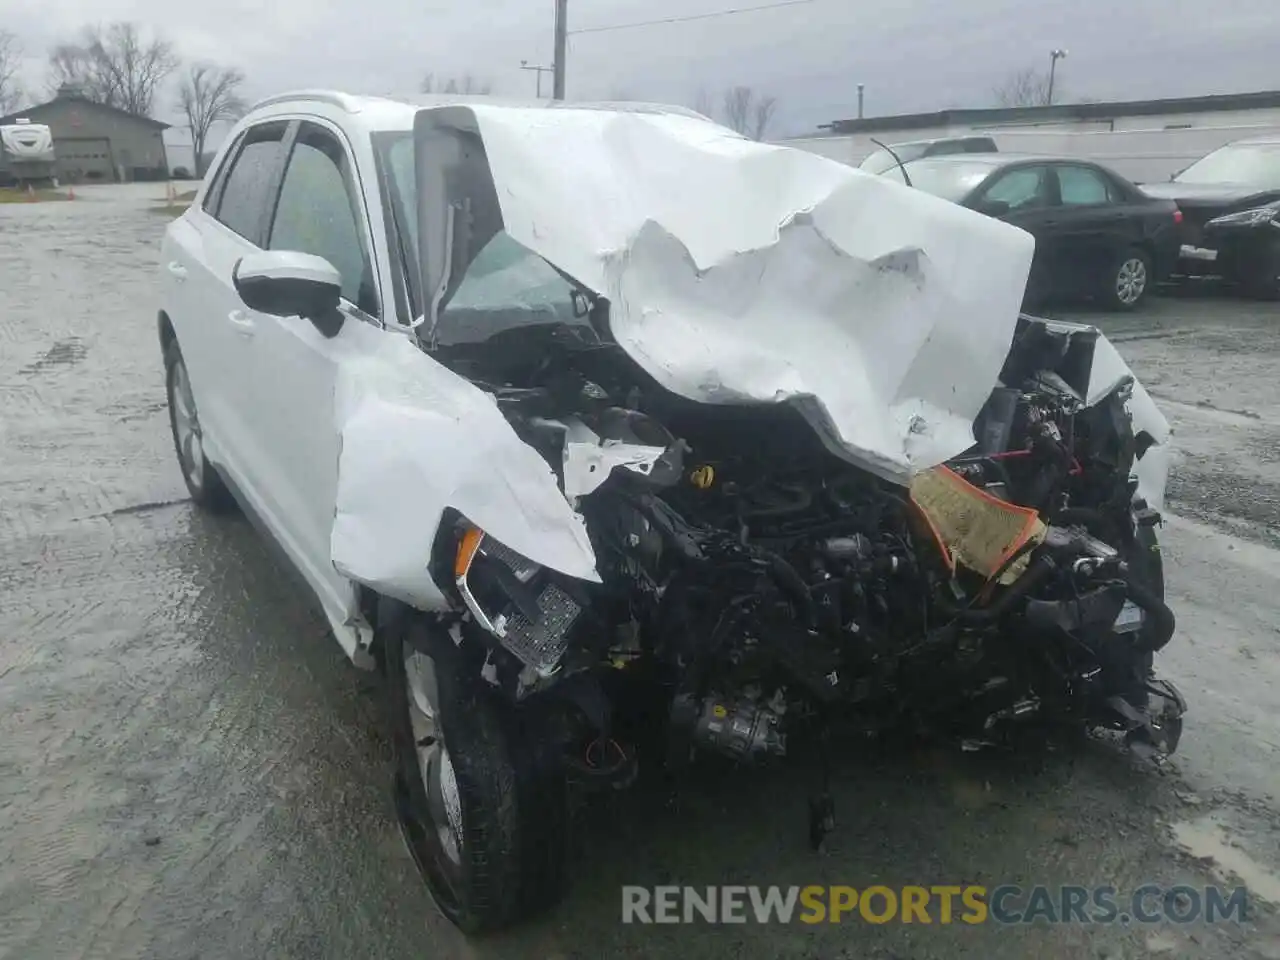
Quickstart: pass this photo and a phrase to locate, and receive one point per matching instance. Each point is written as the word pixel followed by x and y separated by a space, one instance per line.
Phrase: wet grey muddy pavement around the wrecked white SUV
pixel 190 769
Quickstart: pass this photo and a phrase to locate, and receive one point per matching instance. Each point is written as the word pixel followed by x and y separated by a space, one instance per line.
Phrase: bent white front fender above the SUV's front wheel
pixel 418 440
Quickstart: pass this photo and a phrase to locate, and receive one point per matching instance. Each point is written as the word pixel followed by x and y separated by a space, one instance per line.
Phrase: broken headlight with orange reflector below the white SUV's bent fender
pixel 516 601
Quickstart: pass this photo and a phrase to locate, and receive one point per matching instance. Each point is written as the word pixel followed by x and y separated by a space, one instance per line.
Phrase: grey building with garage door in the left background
pixel 97 144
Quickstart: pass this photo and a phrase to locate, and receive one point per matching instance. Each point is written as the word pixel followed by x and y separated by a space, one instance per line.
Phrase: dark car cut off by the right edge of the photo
pixel 1231 200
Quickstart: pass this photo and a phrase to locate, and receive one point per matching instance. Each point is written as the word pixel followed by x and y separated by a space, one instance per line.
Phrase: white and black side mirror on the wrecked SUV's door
pixel 287 284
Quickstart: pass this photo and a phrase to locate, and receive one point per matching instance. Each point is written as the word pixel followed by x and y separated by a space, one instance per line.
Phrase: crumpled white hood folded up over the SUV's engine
pixel 748 273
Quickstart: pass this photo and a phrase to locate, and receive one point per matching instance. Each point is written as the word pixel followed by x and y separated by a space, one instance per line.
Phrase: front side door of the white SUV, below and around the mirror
pixel 295 369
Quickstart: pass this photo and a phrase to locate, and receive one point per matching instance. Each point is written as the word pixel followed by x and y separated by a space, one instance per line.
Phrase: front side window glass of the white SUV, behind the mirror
pixel 318 214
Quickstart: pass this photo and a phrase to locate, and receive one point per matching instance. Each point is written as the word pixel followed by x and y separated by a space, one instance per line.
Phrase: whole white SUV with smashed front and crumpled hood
pixel 621 442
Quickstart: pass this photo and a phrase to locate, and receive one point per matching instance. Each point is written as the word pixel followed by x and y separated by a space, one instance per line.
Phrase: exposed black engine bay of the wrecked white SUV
pixel 758 591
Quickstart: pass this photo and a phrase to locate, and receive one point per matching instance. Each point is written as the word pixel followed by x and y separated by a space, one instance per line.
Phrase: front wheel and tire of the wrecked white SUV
pixel 484 821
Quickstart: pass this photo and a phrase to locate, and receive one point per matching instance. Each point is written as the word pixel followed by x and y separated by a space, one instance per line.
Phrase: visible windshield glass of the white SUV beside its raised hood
pixel 505 287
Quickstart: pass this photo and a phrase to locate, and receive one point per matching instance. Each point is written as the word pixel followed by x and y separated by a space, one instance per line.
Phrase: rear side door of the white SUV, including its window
pixel 216 337
